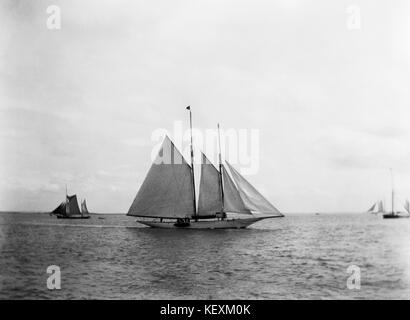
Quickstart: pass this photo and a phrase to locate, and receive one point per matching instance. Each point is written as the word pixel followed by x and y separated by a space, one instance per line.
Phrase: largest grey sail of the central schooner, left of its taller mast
pixel 167 189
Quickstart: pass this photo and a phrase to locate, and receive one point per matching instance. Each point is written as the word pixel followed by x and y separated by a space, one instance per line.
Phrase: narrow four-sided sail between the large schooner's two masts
pixel 210 196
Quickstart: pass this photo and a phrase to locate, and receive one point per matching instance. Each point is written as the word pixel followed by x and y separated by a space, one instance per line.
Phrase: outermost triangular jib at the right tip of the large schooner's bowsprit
pixel 252 199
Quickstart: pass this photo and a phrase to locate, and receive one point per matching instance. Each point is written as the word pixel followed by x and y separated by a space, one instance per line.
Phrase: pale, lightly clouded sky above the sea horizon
pixel 80 106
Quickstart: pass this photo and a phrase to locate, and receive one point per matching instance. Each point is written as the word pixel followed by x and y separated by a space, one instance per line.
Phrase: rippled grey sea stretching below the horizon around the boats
pixel 300 256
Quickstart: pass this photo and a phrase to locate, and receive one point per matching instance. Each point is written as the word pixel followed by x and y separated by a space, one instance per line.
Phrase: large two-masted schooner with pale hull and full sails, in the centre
pixel 166 198
